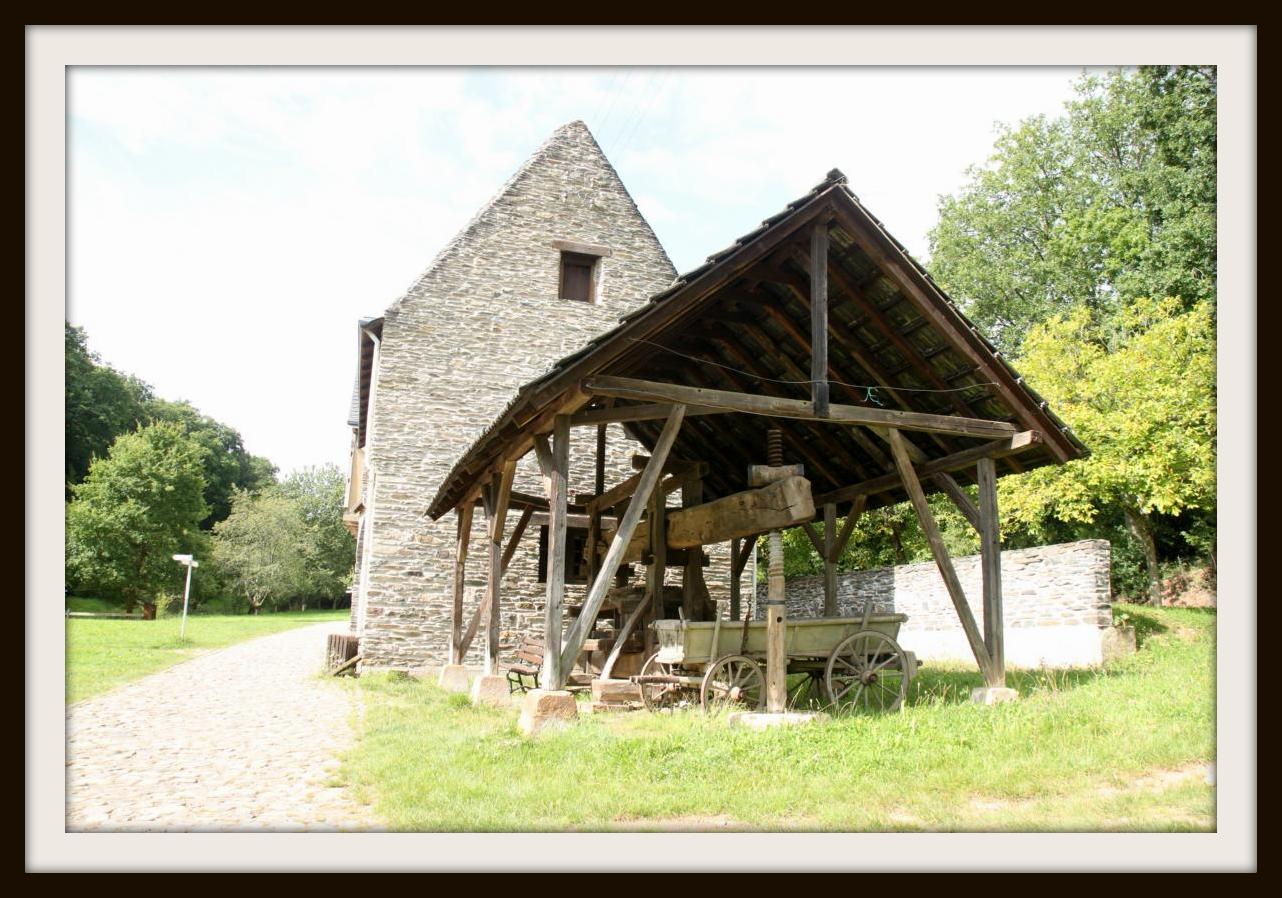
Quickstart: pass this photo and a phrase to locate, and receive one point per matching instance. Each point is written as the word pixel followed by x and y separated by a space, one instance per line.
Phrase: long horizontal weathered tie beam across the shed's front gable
pixel 748 403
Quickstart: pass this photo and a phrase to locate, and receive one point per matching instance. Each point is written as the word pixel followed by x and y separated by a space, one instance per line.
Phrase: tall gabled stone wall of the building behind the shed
pixel 484 320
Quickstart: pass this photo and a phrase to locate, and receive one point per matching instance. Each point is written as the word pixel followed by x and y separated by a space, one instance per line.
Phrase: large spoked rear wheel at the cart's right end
pixel 869 672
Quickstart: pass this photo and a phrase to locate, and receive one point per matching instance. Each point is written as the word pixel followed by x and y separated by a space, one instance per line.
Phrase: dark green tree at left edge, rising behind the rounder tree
pixel 101 405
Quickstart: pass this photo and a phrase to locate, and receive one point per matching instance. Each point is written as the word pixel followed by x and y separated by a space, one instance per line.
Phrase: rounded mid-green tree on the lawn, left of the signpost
pixel 133 514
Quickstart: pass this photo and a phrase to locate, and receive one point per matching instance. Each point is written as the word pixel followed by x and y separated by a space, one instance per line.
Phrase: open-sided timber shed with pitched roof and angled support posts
pixel 815 341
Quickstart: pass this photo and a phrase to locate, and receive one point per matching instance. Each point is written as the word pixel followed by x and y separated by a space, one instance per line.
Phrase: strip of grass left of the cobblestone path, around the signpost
pixel 106 654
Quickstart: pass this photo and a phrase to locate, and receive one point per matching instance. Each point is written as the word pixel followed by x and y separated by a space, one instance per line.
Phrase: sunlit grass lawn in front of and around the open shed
pixel 1122 749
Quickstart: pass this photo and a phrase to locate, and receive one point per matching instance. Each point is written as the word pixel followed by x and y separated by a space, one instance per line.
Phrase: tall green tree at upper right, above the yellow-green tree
pixel 1113 201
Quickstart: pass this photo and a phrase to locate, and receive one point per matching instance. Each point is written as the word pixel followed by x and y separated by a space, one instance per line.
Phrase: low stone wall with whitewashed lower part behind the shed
pixel 1057 602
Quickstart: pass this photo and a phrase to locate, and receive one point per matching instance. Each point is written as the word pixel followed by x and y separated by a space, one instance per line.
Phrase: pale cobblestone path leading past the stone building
pixel 239 740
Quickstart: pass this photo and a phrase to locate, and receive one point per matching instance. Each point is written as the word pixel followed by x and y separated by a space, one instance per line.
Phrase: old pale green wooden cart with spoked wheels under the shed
pixel 837 663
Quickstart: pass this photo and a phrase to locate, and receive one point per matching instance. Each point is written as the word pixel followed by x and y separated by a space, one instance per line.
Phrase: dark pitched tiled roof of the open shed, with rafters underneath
pixel 740 323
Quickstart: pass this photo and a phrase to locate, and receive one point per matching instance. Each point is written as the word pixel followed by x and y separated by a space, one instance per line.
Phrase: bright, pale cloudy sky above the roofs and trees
pixel 228 228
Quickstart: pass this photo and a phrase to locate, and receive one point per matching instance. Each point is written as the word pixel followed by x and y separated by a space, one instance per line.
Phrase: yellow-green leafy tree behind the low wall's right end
pixel 1140 392
